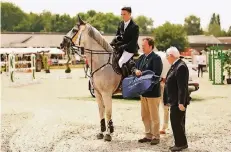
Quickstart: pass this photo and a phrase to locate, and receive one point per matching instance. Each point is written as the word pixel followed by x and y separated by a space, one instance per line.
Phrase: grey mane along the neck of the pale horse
pixel 95 34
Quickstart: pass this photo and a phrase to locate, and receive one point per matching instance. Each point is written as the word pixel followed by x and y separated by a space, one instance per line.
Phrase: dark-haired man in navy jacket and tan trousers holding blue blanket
pixel 150 100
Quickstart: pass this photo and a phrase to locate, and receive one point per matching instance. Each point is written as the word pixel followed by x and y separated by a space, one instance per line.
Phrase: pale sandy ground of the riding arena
pixel 58 114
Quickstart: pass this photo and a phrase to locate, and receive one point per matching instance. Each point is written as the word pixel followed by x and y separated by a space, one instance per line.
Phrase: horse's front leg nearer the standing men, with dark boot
pixel 107 98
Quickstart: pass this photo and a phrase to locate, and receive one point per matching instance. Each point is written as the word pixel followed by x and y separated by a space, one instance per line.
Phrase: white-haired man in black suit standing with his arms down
pixel 176 95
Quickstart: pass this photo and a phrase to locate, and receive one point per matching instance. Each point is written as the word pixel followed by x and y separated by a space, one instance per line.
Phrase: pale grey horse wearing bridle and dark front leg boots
pixel 104 78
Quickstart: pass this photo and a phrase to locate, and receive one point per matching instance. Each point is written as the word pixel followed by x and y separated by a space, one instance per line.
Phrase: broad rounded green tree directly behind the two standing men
pixel 170 35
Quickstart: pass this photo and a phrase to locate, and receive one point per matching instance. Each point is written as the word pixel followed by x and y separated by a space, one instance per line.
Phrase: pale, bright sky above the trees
pixel 159 10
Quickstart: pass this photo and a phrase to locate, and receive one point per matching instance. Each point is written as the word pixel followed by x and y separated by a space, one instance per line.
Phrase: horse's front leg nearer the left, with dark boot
pixel 101 106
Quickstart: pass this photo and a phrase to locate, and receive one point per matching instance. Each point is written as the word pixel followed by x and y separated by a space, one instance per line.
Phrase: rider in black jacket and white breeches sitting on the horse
pixel 126 37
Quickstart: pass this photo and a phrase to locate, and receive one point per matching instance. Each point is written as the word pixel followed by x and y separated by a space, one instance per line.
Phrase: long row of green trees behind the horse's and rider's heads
pixel 14 19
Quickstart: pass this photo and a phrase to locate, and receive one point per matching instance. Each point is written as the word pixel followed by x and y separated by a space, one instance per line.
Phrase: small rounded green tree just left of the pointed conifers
pixel 192 25
